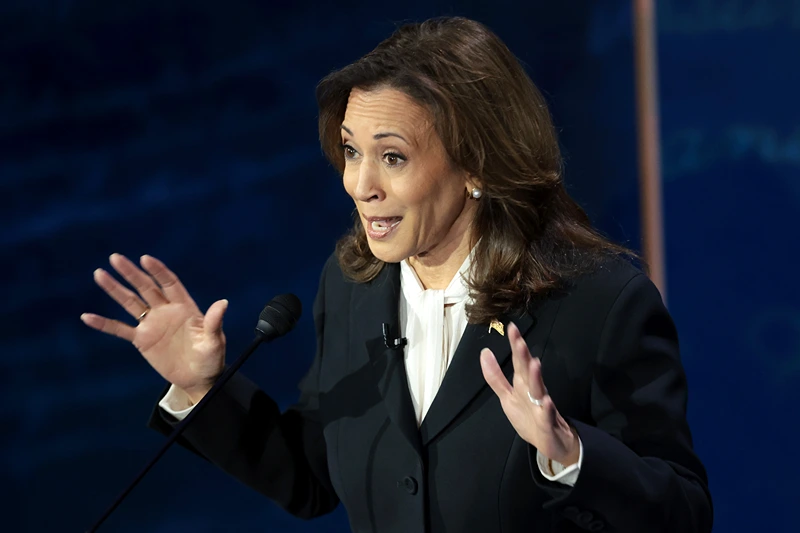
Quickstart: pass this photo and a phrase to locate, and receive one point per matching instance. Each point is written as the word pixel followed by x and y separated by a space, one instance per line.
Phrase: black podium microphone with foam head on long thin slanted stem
pixel 278 318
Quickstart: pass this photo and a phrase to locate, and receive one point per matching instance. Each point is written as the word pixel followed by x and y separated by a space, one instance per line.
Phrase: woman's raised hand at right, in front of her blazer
pixel 540 425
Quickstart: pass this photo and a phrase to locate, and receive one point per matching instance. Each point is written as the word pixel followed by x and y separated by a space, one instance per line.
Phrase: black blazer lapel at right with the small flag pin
pixel 464 378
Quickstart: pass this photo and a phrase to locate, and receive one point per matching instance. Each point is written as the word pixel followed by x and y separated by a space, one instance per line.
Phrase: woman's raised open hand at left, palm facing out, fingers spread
pixel 186 347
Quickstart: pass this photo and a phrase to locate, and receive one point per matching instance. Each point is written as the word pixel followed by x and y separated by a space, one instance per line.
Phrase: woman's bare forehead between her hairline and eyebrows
pixel 385 109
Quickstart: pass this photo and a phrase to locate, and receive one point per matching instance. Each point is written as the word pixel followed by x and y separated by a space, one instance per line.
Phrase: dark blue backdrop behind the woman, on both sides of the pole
pixel 187 130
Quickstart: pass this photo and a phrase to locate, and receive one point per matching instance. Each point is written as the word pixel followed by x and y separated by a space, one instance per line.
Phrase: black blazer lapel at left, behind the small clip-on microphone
pixel 377 304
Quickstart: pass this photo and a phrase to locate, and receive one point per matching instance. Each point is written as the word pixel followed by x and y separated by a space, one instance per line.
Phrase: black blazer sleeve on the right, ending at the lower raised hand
pixel 639 471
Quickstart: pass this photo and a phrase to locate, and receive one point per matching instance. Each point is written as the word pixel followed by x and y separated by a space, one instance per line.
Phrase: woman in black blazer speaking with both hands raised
pixel 540 388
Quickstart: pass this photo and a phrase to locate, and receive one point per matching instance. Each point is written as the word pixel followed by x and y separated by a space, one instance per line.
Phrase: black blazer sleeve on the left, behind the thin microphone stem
pixel 281 455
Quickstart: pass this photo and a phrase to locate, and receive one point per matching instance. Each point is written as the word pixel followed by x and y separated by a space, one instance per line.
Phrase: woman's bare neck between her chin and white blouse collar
pixel 437 268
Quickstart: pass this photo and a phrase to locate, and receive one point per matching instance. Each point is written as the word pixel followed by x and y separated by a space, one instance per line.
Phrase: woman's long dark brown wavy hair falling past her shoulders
pixel 531 237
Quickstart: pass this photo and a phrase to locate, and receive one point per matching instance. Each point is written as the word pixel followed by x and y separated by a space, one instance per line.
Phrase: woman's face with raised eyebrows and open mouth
pixel 411 200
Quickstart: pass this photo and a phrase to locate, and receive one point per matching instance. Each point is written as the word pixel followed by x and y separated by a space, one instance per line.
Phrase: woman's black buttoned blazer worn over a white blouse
pixel 610 361
